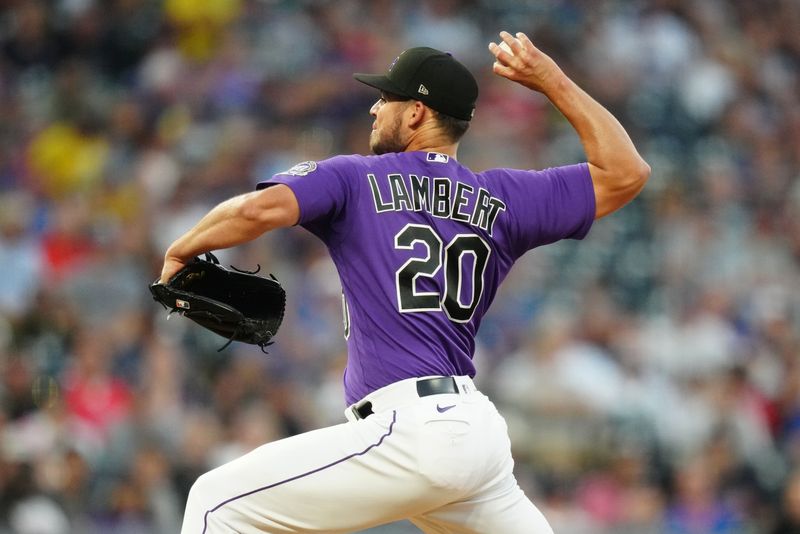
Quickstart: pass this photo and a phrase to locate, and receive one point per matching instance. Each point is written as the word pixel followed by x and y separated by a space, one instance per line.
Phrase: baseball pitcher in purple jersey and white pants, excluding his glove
pixel 421 244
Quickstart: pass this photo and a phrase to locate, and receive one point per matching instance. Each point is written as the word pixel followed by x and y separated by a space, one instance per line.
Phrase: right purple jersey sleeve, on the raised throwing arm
pixel 546 206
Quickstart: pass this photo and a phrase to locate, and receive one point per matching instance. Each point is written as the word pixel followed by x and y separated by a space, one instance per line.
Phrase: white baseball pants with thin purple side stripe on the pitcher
pixel 442 461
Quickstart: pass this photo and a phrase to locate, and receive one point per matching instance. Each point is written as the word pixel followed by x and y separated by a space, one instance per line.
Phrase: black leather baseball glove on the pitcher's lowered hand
pixel 238 305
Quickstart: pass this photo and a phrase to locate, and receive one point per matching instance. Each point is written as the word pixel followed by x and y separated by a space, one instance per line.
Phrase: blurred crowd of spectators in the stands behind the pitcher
pixel 650 375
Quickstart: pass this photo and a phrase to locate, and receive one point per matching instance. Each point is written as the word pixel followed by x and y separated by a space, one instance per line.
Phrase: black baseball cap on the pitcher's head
pixel 431 76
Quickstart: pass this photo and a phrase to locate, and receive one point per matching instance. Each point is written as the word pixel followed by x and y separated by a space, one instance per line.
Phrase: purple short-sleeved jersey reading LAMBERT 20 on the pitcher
pixel 421 244
